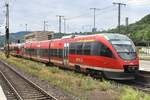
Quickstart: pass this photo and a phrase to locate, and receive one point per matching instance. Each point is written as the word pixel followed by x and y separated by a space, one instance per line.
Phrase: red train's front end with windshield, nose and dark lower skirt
pixel 126 56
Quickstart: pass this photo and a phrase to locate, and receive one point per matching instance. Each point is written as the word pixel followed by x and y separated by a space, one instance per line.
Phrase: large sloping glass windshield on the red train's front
pixel 125 49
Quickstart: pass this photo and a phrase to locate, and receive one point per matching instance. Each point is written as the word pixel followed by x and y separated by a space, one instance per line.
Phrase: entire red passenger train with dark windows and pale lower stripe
pixel 114 55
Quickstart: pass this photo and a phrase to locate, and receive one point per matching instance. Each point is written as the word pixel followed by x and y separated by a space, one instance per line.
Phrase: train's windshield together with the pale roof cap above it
pixel 123 45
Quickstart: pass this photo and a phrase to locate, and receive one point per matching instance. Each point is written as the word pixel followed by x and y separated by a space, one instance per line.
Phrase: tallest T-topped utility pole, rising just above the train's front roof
pixel 119 13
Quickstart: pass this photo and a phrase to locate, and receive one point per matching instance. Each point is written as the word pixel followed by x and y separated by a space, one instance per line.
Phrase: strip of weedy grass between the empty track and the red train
pixel 79 85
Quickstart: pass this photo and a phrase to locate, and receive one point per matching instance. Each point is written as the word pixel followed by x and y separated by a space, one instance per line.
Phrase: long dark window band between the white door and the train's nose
pixel 90 48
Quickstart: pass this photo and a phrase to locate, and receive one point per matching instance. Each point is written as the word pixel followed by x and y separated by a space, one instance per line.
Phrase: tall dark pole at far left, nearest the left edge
pixel 7 30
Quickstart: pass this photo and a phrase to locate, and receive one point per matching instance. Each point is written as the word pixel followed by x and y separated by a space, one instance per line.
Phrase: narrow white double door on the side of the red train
pixel 65 54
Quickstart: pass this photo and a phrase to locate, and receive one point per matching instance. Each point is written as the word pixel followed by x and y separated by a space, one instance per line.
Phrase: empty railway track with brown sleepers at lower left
pixel 18 87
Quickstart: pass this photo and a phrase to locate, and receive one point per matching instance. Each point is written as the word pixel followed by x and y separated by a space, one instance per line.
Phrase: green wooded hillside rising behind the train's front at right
pixel 138 31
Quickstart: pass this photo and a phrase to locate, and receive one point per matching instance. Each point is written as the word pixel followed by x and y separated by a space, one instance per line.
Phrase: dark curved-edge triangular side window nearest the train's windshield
pixel 105 51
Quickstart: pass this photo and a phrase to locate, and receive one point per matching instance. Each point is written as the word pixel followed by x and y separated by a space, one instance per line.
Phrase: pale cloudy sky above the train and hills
pixel 79 17
